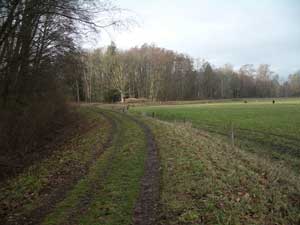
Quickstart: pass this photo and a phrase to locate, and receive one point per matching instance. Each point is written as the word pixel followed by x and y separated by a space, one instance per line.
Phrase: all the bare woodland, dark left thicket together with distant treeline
pixel 42 67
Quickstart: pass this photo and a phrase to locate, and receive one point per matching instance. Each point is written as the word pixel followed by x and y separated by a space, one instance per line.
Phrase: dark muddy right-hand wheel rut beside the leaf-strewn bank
pixel 145 212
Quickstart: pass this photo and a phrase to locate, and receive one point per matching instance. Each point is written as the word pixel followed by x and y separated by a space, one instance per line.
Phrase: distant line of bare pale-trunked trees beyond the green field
pixel 158 74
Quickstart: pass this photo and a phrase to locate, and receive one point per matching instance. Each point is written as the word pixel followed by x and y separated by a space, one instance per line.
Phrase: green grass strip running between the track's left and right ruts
pixel 112 186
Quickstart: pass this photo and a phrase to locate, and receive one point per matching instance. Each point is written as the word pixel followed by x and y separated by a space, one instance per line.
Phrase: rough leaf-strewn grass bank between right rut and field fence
pixel 206 181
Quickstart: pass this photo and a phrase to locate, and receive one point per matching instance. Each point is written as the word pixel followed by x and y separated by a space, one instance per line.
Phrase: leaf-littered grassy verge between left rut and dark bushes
pixel 29 191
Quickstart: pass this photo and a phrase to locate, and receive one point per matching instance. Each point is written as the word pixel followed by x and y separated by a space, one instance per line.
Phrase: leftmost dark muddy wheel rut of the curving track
pixel 50 198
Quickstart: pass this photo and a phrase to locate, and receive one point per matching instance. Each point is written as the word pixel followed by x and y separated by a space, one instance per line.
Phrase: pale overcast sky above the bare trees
pixel 221 31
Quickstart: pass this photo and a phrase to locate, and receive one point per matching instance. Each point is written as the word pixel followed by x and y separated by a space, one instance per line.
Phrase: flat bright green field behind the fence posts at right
pixel 258 126
